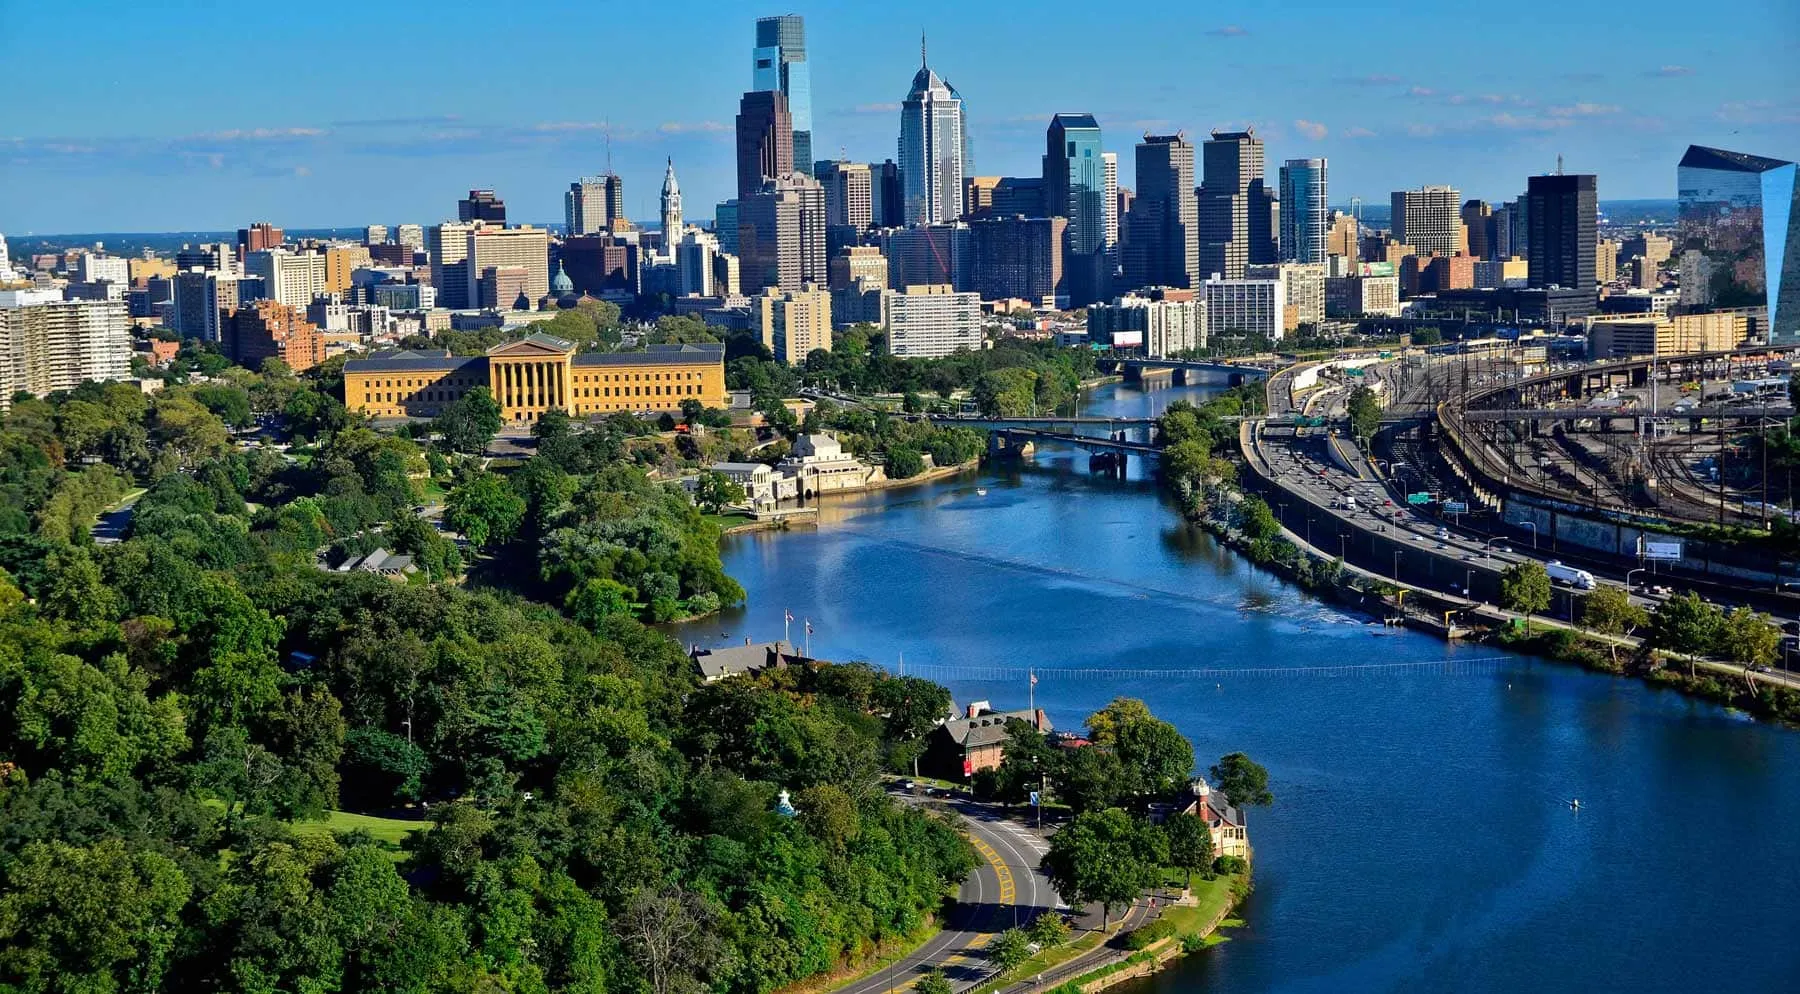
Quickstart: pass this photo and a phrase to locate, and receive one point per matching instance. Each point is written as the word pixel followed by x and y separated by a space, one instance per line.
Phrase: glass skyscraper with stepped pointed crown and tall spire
pixel 931 150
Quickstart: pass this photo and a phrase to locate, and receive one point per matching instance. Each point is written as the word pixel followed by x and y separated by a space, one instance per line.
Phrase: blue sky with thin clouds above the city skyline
pixel 210 116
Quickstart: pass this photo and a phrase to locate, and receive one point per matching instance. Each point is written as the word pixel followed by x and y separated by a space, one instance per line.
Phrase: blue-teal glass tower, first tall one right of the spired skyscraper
pixel 1075 188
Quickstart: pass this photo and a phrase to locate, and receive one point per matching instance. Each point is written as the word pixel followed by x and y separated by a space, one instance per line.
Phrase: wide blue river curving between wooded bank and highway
pixel 1421 836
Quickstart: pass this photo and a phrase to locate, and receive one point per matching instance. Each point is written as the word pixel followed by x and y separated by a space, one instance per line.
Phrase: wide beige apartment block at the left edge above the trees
pixel 60 345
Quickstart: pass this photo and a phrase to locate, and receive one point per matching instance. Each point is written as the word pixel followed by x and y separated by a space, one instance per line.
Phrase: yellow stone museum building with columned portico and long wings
pixel 534 375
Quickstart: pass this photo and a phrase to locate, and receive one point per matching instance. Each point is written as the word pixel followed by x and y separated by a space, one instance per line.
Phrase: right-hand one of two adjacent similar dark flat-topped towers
pixel 1236 208
